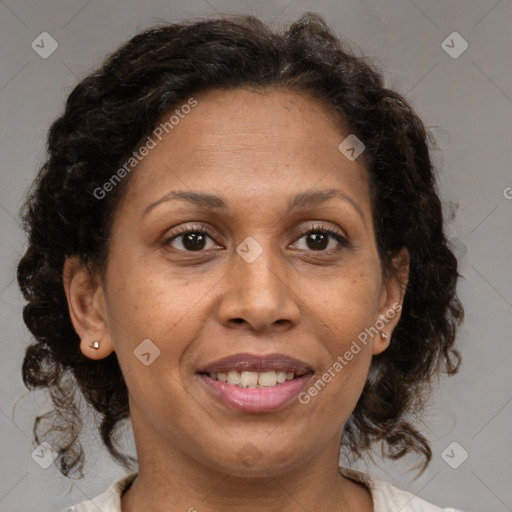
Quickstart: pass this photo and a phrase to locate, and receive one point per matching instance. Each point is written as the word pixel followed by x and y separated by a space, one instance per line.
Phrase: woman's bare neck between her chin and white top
pixel 171 479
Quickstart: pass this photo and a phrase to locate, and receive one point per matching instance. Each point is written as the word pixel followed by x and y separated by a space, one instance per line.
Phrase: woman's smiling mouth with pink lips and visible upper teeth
pixel 256 384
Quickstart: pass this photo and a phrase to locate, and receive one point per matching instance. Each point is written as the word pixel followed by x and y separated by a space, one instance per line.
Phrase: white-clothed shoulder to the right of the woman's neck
pixel 385 495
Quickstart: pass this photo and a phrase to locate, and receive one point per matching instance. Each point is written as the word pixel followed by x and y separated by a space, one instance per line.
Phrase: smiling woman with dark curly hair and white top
pixel 236 242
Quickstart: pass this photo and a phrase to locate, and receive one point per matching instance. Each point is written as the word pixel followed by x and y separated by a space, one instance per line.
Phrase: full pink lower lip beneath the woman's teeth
pixel 266 399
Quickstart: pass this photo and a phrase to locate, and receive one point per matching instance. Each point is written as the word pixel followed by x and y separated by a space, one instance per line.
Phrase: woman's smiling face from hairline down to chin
pixel 246 279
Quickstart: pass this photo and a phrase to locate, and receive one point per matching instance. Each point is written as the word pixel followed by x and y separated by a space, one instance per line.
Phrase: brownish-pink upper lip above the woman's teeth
pixel 257 363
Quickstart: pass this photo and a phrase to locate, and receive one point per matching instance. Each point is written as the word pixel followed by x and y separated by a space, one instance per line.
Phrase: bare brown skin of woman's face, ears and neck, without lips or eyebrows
pixel 256 151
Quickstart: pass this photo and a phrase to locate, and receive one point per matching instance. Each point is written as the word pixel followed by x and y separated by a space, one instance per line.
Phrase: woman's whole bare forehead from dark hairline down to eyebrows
pixel 255 144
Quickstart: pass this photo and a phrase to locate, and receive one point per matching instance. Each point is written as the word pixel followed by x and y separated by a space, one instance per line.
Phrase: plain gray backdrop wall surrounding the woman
pixel 466 102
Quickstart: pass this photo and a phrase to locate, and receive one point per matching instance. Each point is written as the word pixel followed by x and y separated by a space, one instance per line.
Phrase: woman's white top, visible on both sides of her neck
pixel 386 498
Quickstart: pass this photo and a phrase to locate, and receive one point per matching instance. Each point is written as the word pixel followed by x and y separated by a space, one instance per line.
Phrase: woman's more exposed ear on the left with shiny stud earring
pixel 86 303
